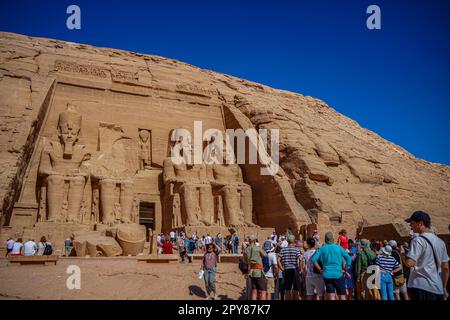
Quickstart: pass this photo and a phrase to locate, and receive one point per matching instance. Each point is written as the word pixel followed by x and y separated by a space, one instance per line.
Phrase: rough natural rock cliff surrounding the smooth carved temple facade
pixel 332 164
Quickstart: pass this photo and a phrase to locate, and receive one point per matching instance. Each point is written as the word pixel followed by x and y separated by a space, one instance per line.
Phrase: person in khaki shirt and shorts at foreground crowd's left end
pixel 253 255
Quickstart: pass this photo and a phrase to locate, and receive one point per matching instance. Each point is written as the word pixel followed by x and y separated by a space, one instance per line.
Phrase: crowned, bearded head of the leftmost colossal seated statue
pixel 69 126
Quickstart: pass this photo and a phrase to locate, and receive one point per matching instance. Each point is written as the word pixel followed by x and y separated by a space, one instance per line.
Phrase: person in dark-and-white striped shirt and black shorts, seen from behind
pixel 289 262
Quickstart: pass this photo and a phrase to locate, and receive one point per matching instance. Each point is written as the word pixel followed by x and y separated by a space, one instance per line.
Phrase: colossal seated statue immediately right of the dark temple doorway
pixel 190 181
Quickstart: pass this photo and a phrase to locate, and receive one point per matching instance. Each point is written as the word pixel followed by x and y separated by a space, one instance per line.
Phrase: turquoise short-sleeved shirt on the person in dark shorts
pixel 331 257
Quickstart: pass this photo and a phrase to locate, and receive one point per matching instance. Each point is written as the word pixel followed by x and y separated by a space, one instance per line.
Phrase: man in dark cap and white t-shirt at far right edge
pixel 428 258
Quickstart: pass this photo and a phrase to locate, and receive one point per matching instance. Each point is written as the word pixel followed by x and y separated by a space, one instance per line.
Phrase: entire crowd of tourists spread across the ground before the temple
pixel 286 268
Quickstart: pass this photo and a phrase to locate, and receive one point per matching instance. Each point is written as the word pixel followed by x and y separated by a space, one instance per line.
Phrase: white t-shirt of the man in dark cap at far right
pixel 424 275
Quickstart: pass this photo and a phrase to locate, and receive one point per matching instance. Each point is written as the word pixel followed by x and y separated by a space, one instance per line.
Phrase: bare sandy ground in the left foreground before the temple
pixel 119 278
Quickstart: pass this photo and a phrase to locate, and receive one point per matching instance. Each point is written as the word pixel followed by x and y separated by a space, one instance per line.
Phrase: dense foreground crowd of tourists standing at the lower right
pixel 348 269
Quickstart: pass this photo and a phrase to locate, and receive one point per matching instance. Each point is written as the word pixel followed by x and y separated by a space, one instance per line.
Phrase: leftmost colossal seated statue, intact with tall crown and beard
pixel 60 165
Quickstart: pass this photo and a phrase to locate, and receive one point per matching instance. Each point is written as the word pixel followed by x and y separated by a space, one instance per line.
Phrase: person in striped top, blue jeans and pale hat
pixel 388 265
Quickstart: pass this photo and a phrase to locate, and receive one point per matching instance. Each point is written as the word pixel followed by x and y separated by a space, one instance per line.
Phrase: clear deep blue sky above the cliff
pixel 394 81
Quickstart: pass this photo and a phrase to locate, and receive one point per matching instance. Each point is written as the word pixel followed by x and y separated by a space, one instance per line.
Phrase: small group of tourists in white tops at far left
pixel 29 248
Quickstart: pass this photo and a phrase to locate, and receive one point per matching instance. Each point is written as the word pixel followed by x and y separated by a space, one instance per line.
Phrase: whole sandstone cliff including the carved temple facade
pixel 131 102
